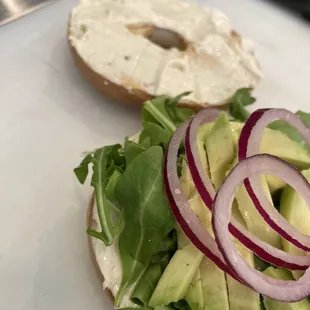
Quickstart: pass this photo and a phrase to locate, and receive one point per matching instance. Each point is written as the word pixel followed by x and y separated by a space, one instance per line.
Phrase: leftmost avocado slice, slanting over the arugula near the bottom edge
pixel 177 277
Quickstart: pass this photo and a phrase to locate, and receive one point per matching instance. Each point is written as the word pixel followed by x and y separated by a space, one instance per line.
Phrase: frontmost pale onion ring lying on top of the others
pixel 286 291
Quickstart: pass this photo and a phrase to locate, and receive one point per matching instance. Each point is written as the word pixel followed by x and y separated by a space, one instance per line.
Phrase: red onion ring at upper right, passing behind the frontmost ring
pixel 249 144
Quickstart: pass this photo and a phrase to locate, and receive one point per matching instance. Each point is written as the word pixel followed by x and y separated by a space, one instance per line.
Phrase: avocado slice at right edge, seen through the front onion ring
pixel 294 209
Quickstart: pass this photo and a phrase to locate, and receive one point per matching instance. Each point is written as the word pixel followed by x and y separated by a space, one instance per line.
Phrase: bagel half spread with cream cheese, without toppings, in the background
pixel 133 50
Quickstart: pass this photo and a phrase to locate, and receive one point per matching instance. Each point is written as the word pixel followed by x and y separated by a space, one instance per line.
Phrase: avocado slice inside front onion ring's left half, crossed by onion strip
pixel 254 222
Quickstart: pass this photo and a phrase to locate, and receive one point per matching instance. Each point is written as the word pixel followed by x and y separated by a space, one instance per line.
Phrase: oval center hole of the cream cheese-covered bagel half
pixel 162 37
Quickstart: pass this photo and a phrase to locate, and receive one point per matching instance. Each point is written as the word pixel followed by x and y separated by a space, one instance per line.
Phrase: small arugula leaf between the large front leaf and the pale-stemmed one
pixel 153 134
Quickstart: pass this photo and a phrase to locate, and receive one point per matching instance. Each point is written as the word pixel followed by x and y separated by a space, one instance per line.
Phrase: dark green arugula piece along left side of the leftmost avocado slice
pixel 145 287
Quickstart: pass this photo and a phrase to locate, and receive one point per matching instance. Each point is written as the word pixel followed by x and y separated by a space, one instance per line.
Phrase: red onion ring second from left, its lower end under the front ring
pixel 207 193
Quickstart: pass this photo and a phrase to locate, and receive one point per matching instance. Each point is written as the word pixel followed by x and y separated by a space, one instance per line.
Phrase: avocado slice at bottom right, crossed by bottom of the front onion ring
pixel 271 304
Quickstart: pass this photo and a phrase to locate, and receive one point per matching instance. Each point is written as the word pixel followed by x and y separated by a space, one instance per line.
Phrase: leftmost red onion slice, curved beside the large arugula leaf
pixel 187 219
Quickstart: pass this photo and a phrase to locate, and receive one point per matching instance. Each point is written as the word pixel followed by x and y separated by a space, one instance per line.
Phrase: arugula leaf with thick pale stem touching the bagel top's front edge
pixel 163 110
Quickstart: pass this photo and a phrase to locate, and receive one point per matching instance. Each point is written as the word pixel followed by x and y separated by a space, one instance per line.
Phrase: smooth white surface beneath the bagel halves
pixel 50 115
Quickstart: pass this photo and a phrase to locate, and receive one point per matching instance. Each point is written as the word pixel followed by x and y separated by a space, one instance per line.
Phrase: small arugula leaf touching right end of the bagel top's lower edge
pixel 239 101
